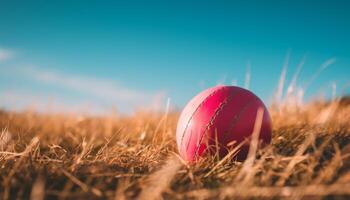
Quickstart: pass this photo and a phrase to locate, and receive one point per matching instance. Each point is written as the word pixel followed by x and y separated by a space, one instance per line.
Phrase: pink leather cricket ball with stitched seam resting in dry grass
pixel 223 114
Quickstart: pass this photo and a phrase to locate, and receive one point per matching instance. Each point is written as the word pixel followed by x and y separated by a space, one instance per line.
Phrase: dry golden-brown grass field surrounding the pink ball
pixel 114 157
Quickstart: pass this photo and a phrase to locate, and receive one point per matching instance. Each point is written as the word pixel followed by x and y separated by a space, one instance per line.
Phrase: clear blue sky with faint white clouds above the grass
pixel 92 55
